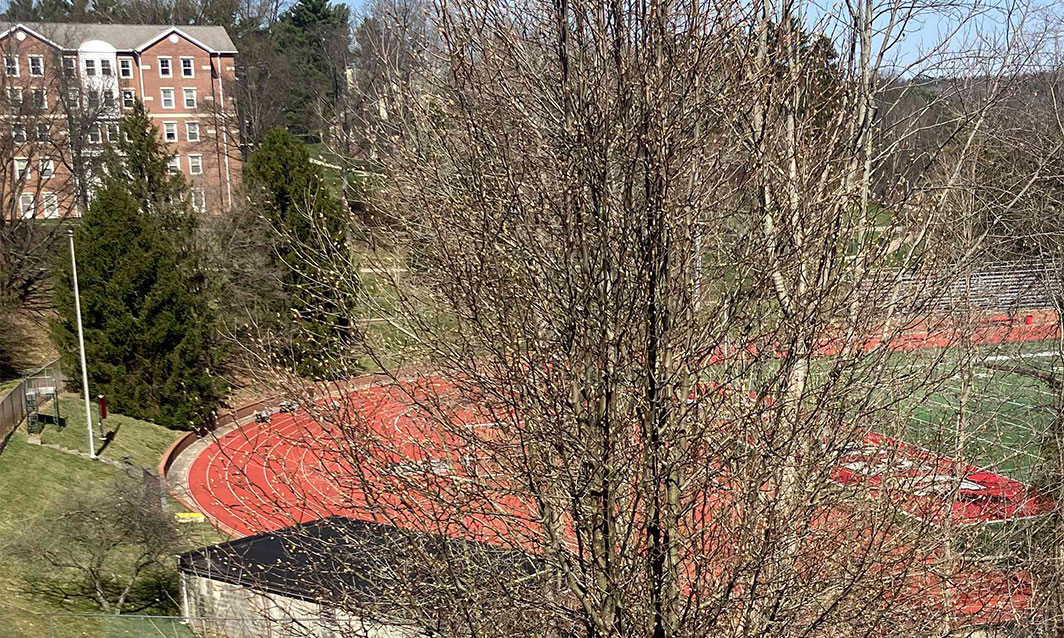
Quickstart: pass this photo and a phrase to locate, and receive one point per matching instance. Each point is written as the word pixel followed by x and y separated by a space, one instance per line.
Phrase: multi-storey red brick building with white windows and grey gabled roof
pixel 68 86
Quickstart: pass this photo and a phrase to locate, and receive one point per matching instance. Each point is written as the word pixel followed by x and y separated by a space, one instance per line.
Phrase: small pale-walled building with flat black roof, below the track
pixel 332 578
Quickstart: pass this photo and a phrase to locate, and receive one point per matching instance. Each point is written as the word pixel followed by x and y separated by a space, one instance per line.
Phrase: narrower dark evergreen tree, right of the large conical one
pixel 292 195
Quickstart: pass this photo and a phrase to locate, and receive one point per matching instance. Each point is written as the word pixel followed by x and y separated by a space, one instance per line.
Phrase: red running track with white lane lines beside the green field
pixel 301 467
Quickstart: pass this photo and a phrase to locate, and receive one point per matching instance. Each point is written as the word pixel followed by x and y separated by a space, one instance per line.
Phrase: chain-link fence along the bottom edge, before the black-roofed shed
pixel 101 626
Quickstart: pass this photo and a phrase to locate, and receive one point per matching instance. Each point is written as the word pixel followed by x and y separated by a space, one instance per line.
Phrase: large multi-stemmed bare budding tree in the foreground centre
pixel 663 256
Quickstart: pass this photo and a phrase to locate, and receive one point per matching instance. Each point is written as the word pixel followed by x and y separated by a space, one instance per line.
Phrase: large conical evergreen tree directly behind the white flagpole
pixel 148 318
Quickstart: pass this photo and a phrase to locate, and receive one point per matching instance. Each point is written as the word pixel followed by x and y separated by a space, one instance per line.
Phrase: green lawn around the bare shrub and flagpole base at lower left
pixel 35 480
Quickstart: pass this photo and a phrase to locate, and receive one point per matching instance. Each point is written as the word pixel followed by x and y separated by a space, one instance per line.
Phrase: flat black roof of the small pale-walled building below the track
pixel 340 559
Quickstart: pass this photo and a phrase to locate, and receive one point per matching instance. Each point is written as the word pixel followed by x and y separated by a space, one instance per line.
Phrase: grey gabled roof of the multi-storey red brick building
pixel 124 38
